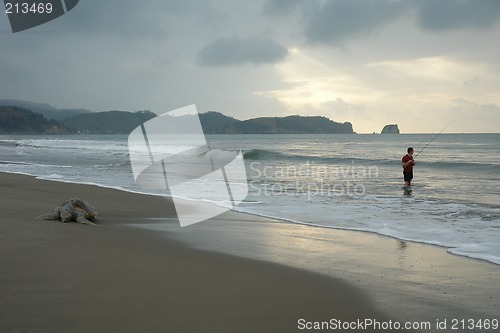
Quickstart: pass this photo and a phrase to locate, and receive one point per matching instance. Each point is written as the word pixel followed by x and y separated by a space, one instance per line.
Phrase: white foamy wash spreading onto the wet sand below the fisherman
pixel 448 225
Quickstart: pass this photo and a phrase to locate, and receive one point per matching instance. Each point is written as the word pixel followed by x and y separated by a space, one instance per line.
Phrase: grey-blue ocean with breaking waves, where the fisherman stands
pixel 331 181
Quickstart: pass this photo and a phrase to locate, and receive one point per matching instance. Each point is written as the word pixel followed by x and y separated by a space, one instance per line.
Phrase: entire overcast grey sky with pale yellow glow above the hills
pixel 420 64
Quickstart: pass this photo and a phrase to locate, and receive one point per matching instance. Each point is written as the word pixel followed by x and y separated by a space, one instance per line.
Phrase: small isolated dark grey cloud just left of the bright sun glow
pixel 236 51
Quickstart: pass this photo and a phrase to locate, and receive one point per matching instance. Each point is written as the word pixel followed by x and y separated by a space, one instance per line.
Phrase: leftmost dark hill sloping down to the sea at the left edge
pixel 18 120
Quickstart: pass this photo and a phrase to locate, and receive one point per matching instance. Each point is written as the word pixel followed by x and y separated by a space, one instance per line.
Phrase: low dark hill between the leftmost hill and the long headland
pixel 109 122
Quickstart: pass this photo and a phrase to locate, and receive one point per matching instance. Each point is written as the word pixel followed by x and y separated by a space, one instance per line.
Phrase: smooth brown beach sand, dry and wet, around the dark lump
pixel 138 271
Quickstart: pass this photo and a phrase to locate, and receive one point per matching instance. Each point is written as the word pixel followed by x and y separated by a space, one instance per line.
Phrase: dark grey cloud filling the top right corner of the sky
pixel 453 14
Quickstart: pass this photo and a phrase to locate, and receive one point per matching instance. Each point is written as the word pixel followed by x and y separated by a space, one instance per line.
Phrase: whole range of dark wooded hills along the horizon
pixel 123 122
